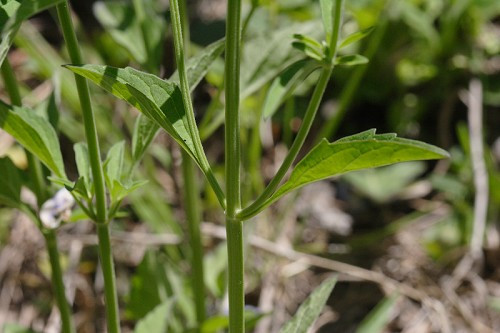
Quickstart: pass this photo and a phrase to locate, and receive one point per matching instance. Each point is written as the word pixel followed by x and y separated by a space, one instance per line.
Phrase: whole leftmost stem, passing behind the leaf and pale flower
pixel 36 175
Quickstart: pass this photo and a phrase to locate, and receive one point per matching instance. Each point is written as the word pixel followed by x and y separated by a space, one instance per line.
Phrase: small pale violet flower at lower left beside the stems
pixel 57 209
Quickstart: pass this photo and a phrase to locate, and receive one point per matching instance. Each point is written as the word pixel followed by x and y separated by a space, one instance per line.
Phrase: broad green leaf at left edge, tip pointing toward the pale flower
pixel 35 134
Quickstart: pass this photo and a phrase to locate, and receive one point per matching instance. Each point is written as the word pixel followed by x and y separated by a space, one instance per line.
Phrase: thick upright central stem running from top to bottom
pixel 234 226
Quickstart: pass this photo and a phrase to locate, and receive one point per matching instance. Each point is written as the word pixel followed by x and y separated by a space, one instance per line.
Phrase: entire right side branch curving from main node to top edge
pixel 262 201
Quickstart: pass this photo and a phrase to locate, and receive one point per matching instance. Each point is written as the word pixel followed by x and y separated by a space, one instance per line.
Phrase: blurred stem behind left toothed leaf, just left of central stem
pixel 192 204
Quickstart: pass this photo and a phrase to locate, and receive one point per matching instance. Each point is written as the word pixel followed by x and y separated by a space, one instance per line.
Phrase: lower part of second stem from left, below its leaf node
pixel 108 272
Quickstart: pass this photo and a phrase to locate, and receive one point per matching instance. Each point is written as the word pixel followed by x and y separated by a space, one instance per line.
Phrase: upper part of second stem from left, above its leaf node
pixel 88 115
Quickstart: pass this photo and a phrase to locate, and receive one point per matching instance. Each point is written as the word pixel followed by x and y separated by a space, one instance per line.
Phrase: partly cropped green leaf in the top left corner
pixel 14 12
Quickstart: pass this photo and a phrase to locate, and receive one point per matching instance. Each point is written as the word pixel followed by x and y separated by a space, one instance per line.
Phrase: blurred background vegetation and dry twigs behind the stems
pixel 397 236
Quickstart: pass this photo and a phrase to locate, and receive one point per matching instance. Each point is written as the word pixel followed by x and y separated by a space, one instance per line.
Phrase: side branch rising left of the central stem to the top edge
pixel 186 97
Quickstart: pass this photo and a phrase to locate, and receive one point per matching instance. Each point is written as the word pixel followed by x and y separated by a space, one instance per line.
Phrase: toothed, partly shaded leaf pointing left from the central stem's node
pixel 158 99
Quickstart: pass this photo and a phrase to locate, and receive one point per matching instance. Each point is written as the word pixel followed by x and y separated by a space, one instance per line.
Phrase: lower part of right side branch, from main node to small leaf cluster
pixel 312 109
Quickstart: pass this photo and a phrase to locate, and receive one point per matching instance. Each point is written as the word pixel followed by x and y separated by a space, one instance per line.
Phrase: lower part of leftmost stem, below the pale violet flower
pixel 57 281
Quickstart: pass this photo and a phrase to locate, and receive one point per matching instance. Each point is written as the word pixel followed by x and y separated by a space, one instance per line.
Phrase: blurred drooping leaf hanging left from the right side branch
pixel 284 85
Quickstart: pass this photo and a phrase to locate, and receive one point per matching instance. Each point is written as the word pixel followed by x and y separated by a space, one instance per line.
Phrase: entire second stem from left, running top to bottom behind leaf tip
pixel 107 265
